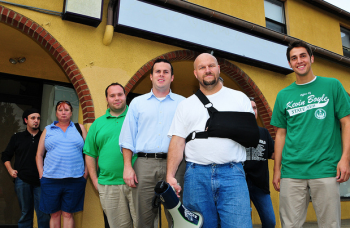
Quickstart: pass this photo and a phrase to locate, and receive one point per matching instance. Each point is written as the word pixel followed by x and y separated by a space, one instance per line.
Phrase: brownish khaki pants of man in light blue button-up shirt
pixel 148 172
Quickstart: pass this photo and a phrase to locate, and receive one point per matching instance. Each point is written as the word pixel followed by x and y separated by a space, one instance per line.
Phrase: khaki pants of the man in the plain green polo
pixel 118 205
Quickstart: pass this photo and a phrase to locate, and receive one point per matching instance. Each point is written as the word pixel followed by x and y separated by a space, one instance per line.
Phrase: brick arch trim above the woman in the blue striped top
pixel 55 49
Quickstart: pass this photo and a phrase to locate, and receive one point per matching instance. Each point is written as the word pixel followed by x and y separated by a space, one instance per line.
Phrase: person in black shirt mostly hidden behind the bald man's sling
pixel 257 175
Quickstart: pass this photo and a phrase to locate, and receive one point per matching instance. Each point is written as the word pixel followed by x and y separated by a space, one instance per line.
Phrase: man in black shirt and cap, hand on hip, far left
pixel 23 146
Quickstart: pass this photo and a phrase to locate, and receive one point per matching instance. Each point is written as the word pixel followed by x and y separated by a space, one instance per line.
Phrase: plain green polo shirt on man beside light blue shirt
pixel 102 141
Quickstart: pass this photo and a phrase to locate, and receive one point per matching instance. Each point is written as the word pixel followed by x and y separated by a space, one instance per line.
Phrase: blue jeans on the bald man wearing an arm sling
pixel 219 192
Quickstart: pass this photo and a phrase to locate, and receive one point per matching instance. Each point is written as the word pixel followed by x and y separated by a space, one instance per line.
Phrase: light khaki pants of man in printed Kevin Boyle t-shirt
pixel 294 201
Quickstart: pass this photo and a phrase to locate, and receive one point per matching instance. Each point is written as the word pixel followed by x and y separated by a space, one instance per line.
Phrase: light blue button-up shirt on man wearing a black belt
pixel 147 123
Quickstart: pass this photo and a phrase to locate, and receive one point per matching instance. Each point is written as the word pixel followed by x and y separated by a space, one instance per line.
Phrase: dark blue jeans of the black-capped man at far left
pixel 29 197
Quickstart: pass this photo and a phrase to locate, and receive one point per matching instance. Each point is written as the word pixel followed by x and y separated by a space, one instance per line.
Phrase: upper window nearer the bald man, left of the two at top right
pixel 274 14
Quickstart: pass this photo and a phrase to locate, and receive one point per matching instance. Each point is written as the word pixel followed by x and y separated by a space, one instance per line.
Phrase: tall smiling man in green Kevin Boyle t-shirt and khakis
pixel 312 118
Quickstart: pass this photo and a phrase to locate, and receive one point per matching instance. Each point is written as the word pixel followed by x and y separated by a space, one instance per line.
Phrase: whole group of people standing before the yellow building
pixel 163 136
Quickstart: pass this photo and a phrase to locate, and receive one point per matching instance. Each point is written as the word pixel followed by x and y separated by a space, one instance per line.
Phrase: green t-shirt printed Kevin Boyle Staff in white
pixel 310 113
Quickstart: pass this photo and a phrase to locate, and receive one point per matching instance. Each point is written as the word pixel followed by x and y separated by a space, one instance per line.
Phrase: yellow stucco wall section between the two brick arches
pixel 117 62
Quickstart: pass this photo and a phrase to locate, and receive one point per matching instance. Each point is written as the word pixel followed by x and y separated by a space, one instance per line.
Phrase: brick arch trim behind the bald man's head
pixel 247 85
